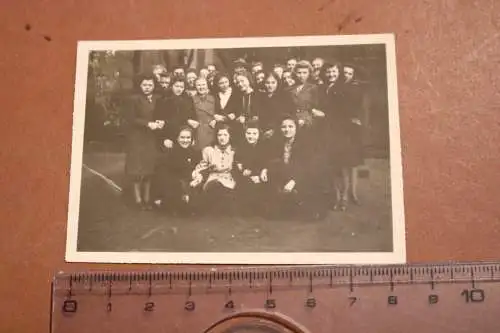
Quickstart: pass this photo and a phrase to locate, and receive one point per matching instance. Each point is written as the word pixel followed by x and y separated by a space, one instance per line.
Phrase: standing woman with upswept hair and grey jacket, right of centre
pixel 305 95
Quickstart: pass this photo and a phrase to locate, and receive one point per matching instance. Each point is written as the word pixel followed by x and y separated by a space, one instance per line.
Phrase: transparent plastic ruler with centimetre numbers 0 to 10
pixel 455 297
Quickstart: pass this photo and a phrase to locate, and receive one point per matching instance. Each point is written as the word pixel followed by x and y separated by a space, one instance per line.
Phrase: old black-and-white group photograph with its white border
pixel 272 150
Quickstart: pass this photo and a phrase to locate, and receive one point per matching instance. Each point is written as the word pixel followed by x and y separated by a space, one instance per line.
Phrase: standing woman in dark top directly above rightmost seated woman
pixel 272 105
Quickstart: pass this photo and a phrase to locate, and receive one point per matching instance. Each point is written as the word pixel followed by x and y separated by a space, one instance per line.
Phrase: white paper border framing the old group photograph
pixel 398 254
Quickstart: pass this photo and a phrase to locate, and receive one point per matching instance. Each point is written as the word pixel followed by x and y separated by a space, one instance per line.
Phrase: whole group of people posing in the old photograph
pixel 281 141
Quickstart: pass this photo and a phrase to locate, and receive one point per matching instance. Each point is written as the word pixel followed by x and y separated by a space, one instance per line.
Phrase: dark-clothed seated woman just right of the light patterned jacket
pixel 250 160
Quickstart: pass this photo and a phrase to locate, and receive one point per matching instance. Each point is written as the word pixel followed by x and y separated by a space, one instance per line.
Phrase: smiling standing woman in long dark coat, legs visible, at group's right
pixel 336 132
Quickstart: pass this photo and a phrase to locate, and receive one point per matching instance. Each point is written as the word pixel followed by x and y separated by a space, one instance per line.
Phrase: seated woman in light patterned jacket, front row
pixel 214 173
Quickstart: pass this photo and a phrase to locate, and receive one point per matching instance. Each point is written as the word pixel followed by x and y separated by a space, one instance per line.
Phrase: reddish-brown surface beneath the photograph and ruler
pixel 448 57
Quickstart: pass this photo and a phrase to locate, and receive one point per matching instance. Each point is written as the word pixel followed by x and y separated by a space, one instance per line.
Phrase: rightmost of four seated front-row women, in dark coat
pixel 294 175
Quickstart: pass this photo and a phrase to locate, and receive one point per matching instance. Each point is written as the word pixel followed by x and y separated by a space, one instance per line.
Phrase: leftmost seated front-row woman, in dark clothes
pixel 176 176
